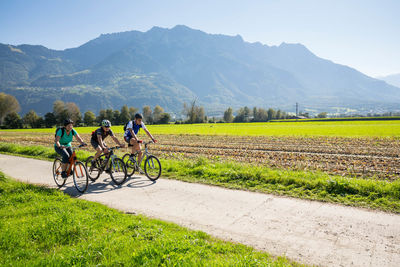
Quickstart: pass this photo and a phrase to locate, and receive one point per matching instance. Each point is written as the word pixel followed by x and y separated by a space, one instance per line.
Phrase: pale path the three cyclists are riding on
pixel 306 231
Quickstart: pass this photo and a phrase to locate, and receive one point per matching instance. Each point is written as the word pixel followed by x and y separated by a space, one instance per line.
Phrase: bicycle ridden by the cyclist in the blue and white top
pixel 152 165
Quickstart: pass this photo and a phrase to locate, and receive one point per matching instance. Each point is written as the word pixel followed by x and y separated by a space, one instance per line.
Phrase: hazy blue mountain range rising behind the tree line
pixel 168 67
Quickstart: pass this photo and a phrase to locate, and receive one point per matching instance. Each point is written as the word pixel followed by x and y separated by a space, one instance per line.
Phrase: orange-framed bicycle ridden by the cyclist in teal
pixel 75 168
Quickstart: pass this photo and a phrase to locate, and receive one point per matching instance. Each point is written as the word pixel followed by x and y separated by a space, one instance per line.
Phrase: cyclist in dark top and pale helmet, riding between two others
pixel 98 137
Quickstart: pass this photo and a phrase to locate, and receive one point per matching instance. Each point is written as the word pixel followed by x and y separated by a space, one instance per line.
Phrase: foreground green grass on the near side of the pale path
pixel 41 227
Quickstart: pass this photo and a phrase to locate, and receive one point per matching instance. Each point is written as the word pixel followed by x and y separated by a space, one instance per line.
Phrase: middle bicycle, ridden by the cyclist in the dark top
pixel 109 163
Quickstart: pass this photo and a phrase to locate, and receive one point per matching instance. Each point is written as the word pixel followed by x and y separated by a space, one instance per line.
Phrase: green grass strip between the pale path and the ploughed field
pixel 368 193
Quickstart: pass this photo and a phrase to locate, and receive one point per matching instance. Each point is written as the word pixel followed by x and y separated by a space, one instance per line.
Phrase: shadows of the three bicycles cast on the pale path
pixel 104 184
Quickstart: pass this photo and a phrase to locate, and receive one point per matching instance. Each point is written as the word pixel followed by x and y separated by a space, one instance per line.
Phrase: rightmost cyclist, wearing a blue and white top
pixel 130 136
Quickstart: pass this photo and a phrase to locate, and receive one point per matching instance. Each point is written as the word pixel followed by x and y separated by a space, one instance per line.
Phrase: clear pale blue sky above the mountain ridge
pixel 364 34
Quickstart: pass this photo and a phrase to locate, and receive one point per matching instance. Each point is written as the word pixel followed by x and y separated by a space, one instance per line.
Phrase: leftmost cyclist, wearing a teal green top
pixel 62 144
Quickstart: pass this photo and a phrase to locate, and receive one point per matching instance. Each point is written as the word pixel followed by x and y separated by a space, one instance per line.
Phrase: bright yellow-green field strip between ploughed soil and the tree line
pixel 314 128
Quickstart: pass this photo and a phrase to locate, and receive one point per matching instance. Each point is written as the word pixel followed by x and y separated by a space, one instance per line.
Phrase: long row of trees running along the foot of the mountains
pixel 9 117
